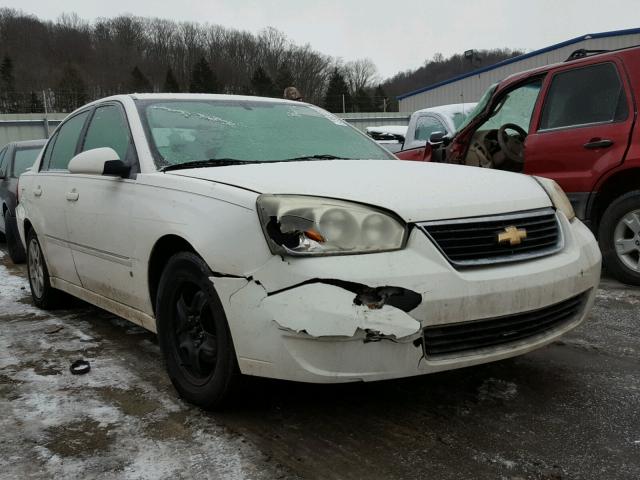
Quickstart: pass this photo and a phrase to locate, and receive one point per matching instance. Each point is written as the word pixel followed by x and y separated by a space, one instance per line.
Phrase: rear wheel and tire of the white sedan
pixel 43 294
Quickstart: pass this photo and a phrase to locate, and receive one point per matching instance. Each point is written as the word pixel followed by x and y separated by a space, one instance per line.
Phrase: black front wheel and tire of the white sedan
pixel 193 332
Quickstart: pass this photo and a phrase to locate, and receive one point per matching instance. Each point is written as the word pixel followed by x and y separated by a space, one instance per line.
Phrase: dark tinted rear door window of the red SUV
pixel 585 95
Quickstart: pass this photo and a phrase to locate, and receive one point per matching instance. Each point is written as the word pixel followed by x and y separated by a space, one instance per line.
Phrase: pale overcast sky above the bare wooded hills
pixel 396 35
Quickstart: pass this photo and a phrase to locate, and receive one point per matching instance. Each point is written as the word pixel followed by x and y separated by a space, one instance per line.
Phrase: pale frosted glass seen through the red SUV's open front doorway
pixel 515 107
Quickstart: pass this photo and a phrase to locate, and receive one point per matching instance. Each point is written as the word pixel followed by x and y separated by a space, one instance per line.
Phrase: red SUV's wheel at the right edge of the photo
pixel 619 238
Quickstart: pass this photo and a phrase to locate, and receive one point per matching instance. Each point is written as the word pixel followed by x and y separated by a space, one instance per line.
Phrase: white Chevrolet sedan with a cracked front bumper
pixel 269 238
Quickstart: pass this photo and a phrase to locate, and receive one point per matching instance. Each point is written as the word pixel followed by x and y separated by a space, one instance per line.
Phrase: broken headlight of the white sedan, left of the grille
pixel 303 225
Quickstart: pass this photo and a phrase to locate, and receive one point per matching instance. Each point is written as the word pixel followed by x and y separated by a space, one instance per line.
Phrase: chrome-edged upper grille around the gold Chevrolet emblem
pixel 474 241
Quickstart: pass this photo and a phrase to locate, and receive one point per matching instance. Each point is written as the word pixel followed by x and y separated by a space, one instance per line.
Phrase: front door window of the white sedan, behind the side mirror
pixel 108 128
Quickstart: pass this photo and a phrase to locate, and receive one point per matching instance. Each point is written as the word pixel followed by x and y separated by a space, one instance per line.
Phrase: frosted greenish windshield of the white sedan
pixel 183 131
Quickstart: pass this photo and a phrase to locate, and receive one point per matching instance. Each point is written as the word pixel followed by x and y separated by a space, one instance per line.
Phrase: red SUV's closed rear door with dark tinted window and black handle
pixel 582 127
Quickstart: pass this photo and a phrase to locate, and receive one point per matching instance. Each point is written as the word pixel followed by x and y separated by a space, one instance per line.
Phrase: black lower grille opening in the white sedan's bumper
pixel 455 338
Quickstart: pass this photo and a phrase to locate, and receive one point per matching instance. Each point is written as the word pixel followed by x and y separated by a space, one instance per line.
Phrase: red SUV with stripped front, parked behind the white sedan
pixel 574 122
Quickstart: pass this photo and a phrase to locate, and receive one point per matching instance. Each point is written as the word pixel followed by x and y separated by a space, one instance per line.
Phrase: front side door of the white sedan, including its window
pixel 98 212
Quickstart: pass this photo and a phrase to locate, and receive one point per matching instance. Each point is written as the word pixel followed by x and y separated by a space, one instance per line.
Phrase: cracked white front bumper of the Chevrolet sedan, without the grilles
pixel 362 317
